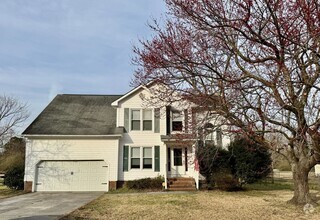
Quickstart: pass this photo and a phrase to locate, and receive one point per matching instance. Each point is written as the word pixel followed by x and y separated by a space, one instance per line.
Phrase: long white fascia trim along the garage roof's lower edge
pixel 39 136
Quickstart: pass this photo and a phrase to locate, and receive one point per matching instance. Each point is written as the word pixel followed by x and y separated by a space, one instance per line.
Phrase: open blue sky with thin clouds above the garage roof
pixel 49 47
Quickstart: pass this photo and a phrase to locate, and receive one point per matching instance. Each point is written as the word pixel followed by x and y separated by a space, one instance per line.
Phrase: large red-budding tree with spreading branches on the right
pixel 258 61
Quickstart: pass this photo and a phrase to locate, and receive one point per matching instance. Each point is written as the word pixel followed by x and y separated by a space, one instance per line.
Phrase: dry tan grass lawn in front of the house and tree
pixel 258 201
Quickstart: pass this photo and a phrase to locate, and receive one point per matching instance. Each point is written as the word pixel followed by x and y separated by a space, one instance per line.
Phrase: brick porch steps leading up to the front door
pixel 181 184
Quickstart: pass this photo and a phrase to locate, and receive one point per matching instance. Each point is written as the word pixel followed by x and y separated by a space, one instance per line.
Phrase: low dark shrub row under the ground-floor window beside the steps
pixel 146 183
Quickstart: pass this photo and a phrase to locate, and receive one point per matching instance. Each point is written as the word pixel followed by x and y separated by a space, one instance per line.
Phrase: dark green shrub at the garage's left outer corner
pixel 14 177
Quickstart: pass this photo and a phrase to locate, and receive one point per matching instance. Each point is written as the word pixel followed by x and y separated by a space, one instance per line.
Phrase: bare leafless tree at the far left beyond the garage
pixel 12 114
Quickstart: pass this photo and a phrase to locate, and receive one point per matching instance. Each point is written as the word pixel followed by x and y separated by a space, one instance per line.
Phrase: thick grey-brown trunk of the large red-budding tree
pixel 301 195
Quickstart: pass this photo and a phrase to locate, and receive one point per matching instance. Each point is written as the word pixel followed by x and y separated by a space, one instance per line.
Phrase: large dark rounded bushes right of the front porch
pixel 243 162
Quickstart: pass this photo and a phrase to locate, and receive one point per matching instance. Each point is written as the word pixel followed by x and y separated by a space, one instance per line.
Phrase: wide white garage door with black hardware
pixel 72 176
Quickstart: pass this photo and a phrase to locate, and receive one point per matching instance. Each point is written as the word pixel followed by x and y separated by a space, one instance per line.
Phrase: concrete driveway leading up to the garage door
pixel 41 205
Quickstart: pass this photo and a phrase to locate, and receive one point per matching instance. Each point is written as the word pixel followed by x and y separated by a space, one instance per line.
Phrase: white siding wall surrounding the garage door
pixel 71 149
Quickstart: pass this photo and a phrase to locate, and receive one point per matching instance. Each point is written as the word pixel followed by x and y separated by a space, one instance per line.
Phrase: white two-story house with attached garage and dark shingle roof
pixel 97 142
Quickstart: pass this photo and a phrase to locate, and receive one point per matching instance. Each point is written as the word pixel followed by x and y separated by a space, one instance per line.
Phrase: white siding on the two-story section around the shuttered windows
pixel 149 138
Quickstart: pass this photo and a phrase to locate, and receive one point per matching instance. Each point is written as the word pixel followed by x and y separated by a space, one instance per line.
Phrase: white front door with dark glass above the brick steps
pixel 177 162
